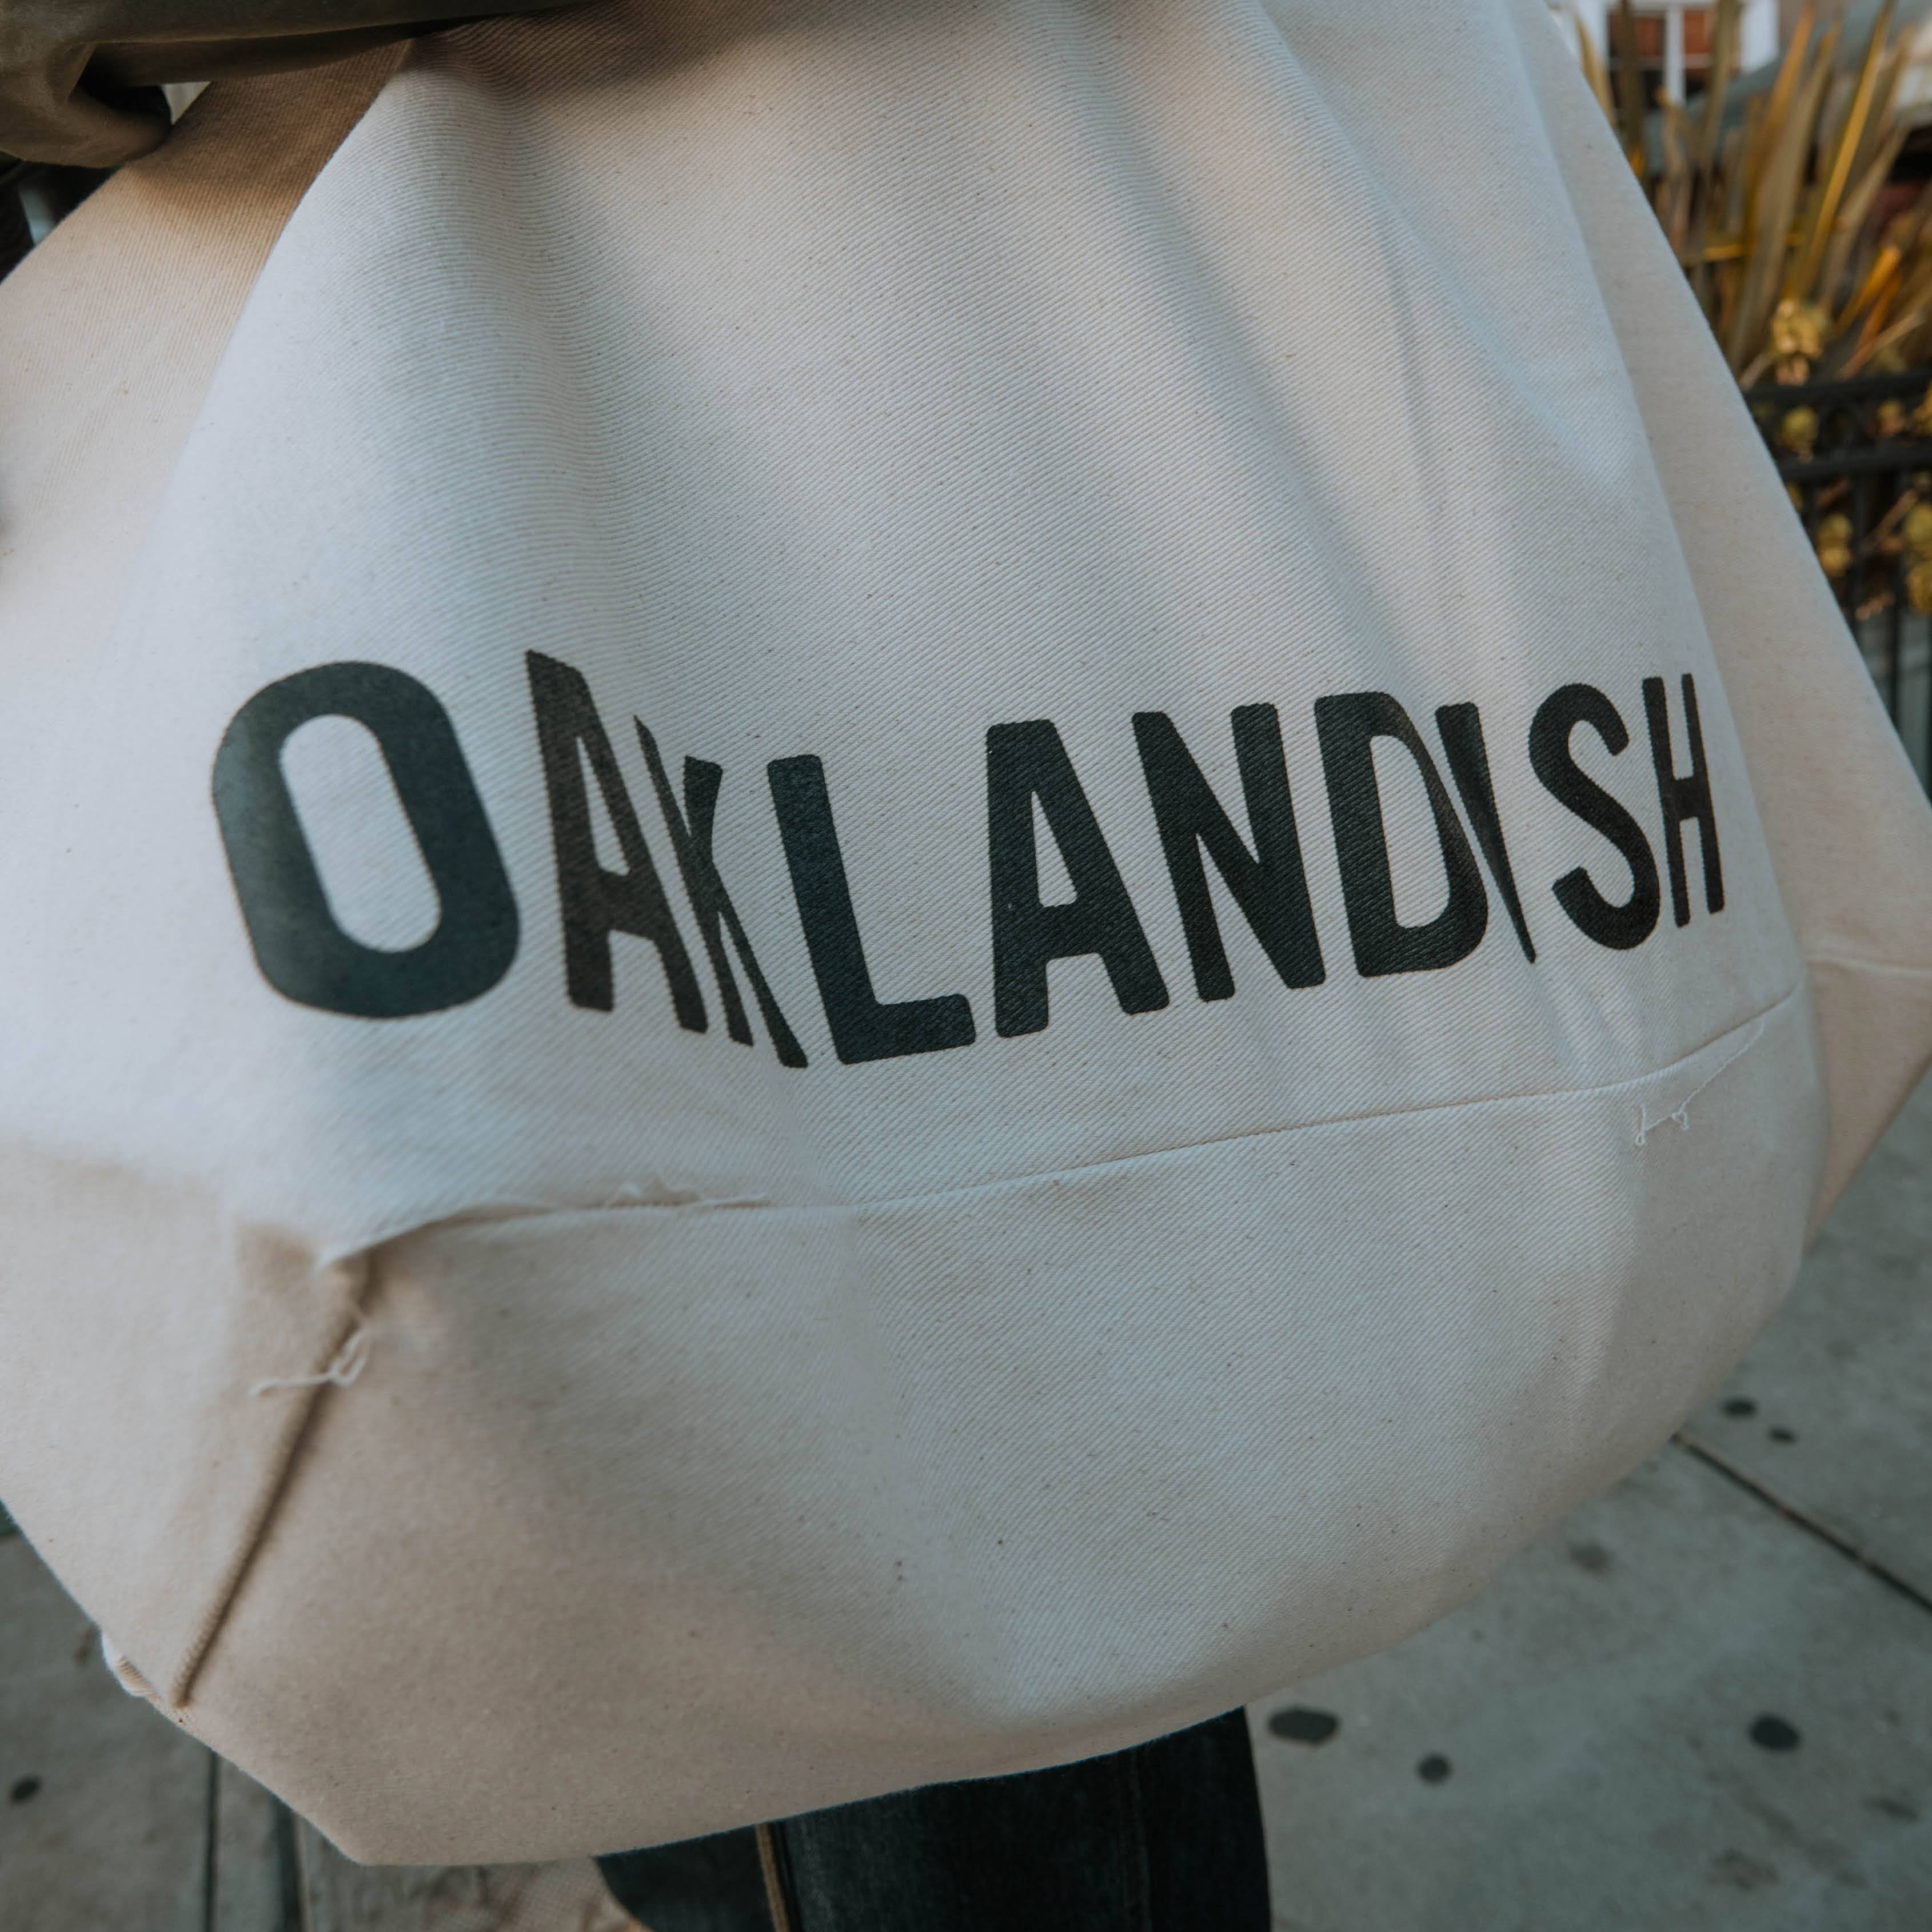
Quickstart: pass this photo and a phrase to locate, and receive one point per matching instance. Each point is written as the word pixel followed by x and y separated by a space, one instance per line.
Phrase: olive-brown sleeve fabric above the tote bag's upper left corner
pixel 69 69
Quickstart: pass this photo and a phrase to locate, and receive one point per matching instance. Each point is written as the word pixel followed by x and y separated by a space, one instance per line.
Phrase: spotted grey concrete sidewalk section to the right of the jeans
pixel 1705 1701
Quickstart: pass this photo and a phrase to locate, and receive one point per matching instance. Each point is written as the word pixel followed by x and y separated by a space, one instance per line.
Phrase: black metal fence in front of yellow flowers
pixel 1858 459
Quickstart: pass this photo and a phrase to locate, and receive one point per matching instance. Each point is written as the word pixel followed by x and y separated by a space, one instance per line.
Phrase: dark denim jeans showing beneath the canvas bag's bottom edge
pixel 1166 1838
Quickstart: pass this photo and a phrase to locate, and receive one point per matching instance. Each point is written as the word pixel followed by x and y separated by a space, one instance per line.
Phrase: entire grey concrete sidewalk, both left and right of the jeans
pixel 1703 1703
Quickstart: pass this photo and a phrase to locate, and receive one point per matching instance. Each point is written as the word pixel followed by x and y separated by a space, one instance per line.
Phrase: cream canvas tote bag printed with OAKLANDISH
pixel 890 888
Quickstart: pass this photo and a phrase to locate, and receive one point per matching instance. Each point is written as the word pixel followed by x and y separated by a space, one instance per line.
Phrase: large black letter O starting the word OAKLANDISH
pixel 302 950
